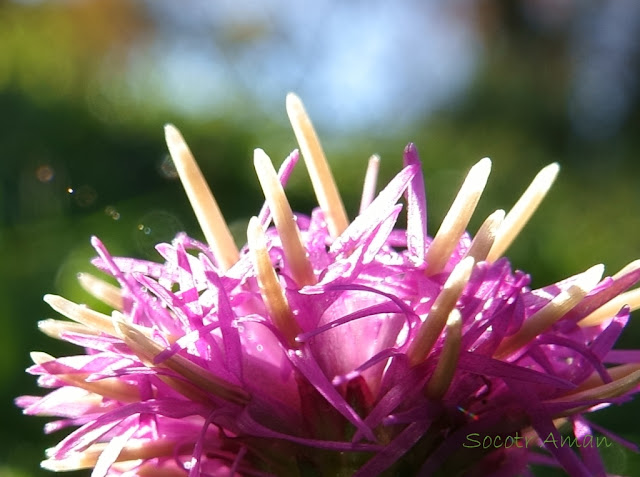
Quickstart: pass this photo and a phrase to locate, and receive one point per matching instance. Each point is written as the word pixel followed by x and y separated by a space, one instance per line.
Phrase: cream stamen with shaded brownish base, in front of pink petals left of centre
pixel 270 289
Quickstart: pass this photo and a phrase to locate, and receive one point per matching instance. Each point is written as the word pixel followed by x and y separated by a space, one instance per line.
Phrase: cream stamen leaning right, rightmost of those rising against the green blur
pixel 522 211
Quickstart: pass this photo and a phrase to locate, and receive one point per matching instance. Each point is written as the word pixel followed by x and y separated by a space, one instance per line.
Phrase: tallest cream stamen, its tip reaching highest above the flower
pixel 321 178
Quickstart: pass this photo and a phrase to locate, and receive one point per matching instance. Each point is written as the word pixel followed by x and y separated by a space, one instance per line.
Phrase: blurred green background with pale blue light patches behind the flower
pixel 86 86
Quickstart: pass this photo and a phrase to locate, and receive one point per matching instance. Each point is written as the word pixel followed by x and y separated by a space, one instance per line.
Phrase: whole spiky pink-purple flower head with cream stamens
pixel 329 347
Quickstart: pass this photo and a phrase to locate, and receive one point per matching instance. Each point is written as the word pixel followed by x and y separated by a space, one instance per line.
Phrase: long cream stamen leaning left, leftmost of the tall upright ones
pixel 204 205
